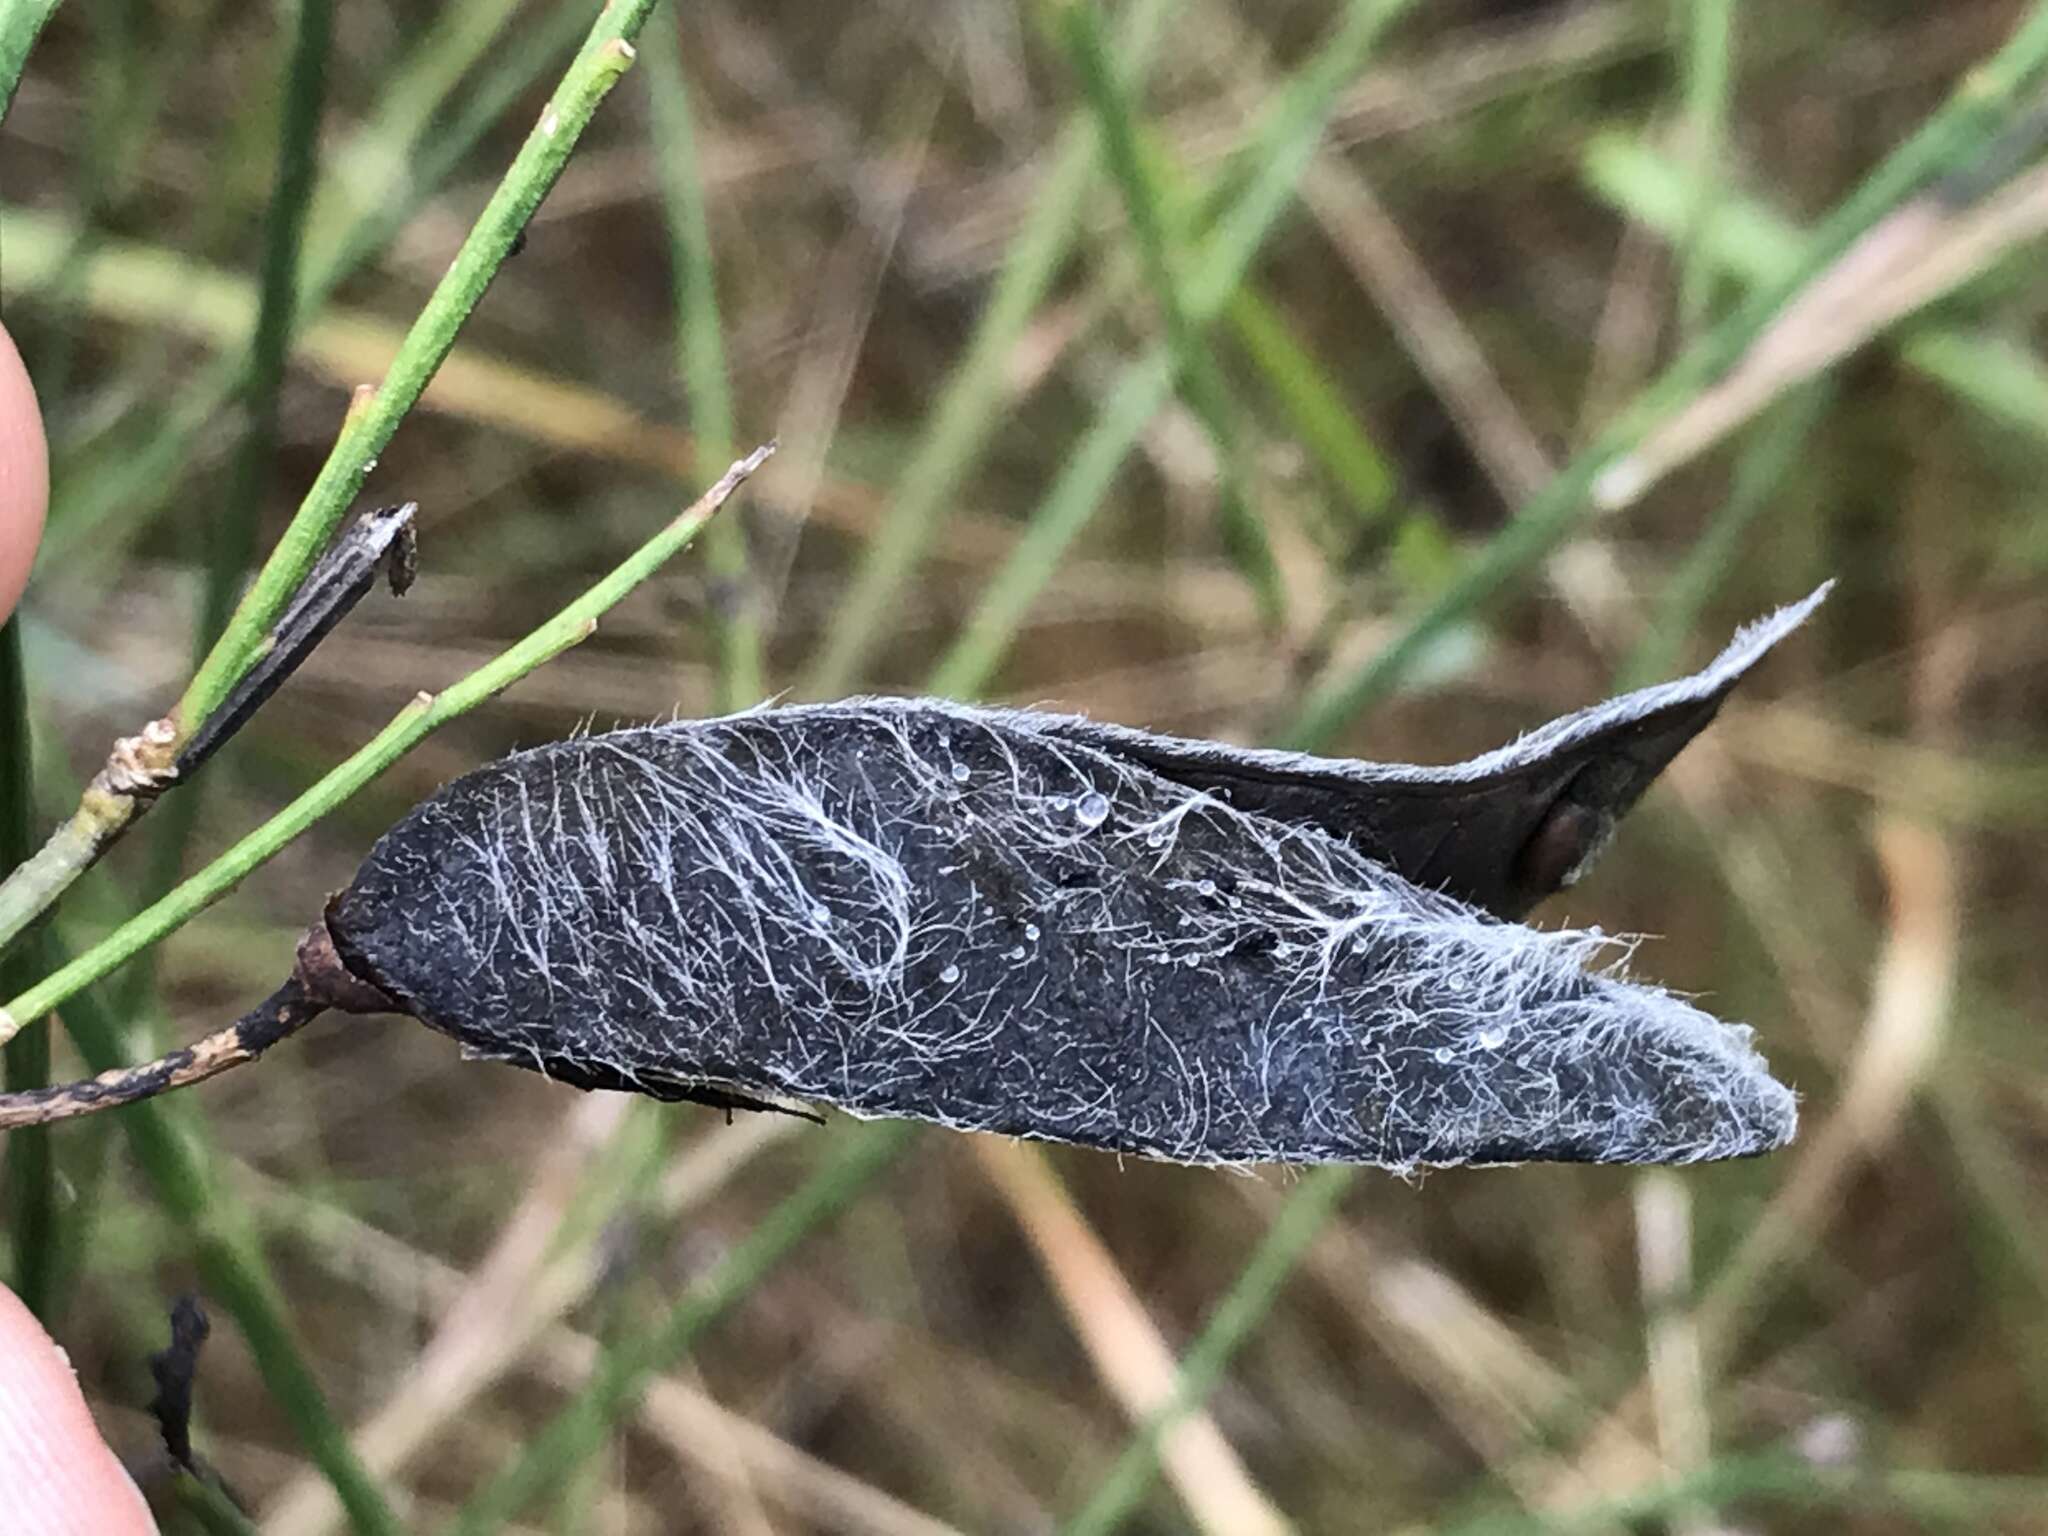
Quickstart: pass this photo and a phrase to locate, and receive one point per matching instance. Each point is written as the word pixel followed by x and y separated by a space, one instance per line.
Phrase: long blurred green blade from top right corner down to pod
pixel 1953 136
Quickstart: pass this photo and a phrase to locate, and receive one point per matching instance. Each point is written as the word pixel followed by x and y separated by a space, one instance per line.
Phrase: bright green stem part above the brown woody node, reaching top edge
pixel 603 60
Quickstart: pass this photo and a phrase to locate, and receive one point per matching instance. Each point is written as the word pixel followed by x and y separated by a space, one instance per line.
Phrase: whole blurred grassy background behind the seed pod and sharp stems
pixel 1377 378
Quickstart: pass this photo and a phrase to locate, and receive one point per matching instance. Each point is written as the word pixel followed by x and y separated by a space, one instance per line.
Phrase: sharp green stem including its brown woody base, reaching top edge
pixel 120 794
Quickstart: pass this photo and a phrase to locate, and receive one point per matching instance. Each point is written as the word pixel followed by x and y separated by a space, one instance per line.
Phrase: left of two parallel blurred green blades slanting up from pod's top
pixel 968 407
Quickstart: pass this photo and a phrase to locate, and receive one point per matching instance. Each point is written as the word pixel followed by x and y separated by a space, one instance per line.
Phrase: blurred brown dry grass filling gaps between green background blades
pixel 1852 859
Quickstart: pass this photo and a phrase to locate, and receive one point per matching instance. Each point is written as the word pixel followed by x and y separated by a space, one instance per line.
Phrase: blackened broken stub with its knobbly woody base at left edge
pixel 159 757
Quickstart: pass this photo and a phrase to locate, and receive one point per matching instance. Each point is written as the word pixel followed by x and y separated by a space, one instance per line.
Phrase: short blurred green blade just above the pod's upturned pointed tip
pixel 1717 554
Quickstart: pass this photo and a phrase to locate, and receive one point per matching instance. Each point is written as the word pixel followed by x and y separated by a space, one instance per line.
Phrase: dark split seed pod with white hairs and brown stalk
pixel 1043 927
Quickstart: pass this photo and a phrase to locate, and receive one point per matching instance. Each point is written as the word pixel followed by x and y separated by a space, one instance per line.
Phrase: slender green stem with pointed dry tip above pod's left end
pixel 407 730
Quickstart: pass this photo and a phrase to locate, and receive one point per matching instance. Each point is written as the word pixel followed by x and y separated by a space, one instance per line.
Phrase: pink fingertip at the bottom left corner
pixel 56 1474
